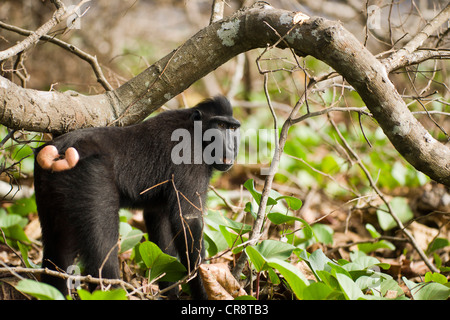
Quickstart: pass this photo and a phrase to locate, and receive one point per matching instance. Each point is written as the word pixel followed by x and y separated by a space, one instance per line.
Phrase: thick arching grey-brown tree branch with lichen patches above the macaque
pixel 211 47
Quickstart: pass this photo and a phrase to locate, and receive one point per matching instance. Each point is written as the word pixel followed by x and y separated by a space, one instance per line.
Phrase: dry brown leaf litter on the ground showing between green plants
pixel 430 205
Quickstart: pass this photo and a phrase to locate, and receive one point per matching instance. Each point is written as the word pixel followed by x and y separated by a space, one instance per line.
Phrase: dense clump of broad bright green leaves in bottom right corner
pixel 360 278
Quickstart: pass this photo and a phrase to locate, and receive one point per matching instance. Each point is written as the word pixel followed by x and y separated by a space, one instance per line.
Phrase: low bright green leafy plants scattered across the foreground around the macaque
pixel 360 278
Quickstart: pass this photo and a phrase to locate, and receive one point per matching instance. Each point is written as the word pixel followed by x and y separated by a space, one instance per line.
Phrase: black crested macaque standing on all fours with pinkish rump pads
pixel 162 165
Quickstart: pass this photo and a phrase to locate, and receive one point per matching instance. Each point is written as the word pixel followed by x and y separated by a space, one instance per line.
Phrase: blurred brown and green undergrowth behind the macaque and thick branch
pixel 328 233
